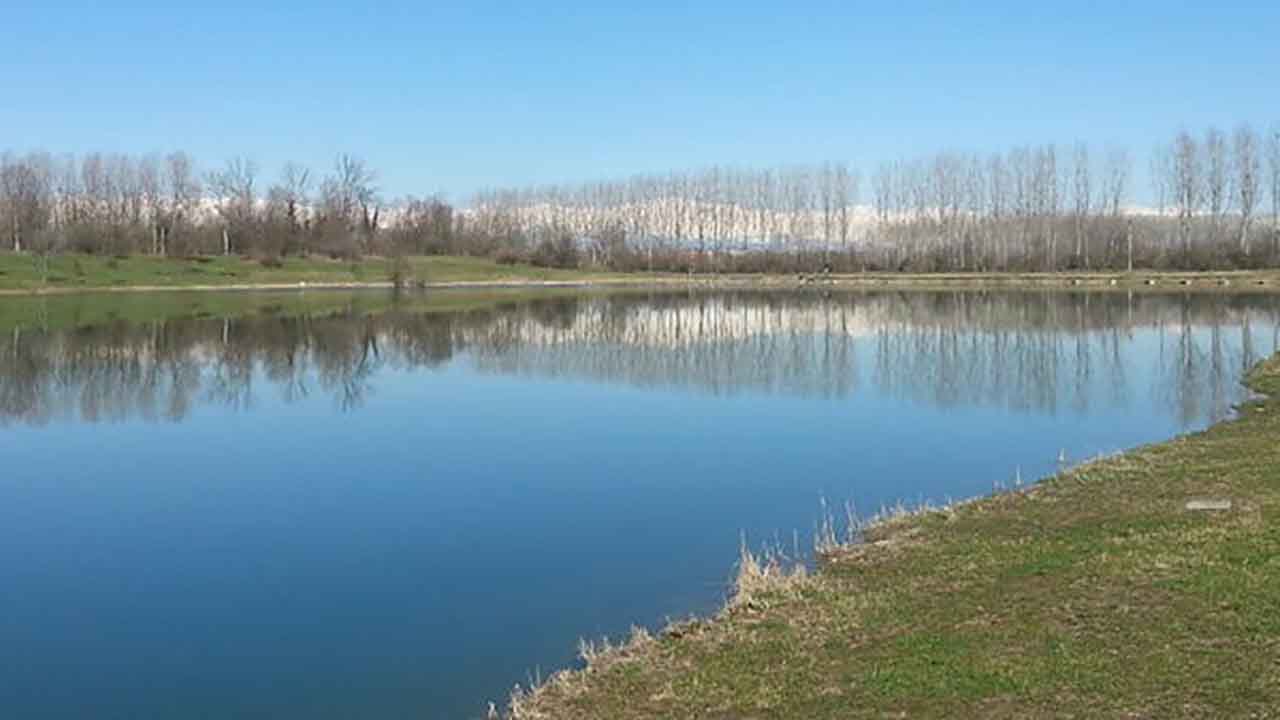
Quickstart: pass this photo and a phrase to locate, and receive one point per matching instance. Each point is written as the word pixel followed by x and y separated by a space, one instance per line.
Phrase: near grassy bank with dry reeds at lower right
pixel 1094 595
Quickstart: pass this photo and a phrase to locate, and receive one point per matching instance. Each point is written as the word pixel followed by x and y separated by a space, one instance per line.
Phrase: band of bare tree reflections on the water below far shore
pixel 1026 352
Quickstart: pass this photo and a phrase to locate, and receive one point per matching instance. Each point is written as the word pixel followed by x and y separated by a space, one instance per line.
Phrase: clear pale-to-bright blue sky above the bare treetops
pixel 456 97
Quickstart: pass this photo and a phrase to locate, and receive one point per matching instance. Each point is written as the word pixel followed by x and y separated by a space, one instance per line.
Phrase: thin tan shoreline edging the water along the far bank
pixel 1226 281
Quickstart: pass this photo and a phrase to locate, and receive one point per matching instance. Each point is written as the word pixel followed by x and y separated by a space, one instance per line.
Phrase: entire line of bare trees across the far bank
pixel 1215 204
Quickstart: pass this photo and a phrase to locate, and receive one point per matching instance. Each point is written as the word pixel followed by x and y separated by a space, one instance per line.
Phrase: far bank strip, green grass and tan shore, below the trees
pixel 70 274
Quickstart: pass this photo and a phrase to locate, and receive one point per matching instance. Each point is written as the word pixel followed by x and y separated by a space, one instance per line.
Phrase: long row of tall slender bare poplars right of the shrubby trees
pixel 1032 209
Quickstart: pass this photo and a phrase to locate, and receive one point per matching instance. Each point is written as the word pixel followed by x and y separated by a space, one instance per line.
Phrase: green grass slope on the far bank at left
pixel 21 272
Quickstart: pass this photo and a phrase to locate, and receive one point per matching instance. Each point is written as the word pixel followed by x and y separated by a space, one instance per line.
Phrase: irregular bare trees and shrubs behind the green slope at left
pixel 164 206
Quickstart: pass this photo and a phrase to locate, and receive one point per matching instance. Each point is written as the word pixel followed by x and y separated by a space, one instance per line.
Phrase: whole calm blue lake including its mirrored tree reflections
pixel 403 514
